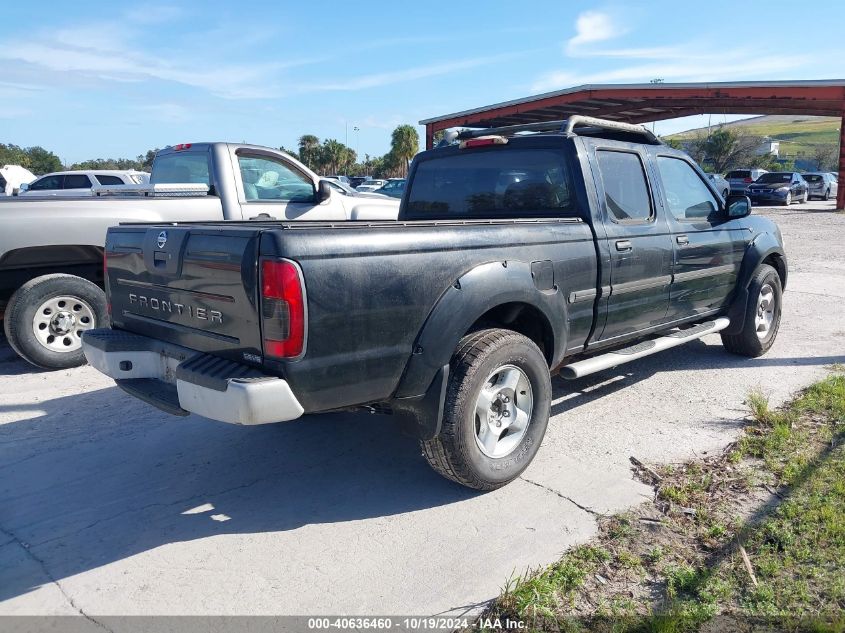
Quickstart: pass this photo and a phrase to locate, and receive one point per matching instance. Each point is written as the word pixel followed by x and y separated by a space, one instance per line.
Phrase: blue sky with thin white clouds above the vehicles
pixel 95 79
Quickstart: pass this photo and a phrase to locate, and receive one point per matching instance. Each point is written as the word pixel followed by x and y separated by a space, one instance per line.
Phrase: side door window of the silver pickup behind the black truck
pixel 267 179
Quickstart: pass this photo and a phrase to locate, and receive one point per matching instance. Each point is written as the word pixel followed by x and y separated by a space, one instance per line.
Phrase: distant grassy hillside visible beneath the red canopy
pixel 798 134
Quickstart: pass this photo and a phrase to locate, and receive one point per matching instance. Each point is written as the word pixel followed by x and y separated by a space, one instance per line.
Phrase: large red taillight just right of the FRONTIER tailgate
pixel 282 309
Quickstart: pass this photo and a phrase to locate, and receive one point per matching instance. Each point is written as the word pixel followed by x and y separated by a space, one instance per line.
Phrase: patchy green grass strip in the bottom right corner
pixel 796 546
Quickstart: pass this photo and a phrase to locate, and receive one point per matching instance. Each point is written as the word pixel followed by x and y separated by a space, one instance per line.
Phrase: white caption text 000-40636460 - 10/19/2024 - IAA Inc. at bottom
pixel 413 624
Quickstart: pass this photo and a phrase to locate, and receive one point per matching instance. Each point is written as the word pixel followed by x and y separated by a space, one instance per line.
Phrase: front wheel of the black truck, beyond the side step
pixel 749 341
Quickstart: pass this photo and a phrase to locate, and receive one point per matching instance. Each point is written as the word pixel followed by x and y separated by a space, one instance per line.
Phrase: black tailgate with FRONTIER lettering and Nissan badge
pixel 192 286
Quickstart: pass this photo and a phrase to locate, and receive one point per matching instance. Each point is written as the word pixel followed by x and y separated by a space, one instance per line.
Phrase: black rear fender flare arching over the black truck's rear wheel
pixel 463 303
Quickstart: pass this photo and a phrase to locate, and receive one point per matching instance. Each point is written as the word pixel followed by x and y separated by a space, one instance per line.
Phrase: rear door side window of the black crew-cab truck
pixel 625 186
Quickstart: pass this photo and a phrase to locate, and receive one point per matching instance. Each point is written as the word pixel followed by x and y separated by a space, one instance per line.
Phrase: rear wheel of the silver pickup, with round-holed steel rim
pixel 46 316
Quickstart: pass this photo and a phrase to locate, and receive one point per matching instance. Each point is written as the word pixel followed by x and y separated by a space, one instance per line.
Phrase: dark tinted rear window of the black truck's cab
pixel 492 183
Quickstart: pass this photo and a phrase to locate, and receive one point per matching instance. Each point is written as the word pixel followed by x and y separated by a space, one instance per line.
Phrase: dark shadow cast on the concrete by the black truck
pixel 93 478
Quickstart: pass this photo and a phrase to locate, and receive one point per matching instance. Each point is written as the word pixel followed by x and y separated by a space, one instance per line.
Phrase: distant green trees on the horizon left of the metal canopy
pixel 328 157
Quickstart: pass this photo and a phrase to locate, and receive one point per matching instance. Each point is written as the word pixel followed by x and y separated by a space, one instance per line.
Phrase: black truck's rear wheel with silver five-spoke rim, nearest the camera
pixel 484 364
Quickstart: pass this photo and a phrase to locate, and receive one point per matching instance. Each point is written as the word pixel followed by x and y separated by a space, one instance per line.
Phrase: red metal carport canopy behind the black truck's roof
pixel 643 103
